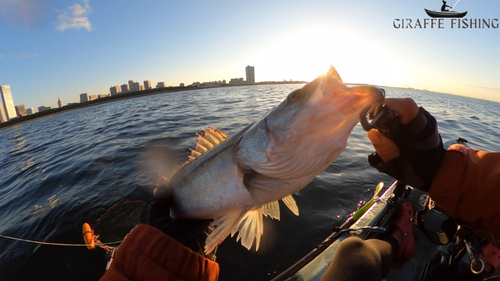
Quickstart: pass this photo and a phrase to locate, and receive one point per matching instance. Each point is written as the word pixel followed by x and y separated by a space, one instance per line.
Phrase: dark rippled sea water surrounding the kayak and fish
pixel 91 165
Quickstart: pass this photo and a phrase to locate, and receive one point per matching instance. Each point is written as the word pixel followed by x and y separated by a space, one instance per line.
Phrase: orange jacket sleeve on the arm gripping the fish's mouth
pixel 467 187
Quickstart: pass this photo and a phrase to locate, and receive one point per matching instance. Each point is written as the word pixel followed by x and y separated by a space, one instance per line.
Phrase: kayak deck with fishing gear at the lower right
pixel 437 255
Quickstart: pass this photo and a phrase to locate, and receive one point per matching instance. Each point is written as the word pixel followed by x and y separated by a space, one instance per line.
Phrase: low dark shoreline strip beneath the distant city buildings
pixel 129 95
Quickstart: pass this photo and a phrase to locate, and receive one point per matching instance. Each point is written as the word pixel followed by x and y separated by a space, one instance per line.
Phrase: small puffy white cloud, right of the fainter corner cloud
pixel 75 18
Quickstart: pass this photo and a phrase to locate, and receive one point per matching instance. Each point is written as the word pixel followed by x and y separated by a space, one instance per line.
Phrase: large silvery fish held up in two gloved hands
pixel 237 180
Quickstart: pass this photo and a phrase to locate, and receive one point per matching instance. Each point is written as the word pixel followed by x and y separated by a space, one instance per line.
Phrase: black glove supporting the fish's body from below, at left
pixel 192 233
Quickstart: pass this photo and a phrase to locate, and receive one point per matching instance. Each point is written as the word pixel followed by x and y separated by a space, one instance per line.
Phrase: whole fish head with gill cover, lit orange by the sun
pixel 308 130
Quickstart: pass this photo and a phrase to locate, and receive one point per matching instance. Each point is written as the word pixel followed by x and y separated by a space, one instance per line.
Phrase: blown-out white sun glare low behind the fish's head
pixel 309 52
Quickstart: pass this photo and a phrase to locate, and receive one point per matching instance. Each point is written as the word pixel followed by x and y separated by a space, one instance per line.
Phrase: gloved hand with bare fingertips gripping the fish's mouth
pixel 414 153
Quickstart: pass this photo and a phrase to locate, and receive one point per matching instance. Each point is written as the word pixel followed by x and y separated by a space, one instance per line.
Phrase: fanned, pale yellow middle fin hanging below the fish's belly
pixel 250 228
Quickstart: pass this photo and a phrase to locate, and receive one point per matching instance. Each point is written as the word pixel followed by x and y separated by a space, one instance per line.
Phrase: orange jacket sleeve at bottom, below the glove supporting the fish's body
pixel 149 254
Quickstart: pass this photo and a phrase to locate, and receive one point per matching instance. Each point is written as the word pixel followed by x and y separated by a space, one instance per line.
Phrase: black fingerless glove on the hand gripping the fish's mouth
pixel 421 152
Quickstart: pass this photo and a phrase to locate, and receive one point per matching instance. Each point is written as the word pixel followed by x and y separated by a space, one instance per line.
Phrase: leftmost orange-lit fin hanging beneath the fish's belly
pixel 225 224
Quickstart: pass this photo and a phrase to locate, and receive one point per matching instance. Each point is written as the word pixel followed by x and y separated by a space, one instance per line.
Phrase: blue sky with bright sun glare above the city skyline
pixel 52 49
